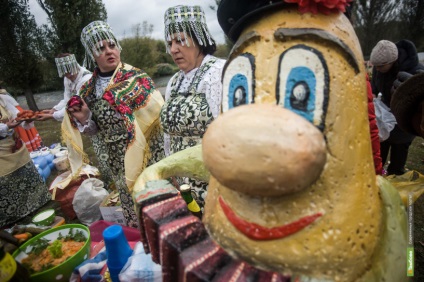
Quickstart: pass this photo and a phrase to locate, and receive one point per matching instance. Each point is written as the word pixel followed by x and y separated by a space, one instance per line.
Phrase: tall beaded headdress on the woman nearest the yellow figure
pixel 189 20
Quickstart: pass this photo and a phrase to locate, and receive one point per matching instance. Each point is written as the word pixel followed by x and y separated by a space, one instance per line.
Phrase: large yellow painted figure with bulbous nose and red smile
pixel 292 187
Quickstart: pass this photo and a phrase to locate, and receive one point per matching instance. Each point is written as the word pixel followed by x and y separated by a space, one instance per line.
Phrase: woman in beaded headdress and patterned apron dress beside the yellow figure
pixel 193 95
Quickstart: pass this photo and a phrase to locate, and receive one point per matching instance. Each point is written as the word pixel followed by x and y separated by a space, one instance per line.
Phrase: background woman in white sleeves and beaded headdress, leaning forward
pixel 74 77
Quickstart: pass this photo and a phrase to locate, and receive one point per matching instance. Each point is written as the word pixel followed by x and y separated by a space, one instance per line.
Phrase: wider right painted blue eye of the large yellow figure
pixel 303 83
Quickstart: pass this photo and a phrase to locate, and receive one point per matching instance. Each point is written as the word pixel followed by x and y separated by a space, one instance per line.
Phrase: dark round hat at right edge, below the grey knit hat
pixel 405 101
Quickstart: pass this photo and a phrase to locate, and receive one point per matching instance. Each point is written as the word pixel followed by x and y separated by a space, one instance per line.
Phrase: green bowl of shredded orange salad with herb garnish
pixel 53 254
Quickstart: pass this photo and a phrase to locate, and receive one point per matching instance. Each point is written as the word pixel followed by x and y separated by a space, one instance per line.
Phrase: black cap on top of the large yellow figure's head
pixel 234 14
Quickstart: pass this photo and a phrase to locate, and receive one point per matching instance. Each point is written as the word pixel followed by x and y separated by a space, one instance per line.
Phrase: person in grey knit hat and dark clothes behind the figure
pixel 388 60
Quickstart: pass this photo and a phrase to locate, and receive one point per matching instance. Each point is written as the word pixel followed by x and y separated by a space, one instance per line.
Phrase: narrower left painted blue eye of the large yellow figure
pixel 238 82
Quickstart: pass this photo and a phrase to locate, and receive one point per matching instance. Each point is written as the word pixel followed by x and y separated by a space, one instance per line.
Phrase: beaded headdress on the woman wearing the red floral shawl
pixel 93 33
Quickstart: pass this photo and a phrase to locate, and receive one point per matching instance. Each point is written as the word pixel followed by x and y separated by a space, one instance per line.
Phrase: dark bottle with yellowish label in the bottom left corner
pixel 11 270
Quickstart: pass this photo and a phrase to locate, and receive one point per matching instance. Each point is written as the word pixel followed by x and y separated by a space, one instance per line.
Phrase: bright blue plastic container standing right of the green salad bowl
pixel 117 249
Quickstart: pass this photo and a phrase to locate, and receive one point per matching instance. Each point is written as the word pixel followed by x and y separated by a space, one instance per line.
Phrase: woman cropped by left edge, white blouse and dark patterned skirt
pixel 22 189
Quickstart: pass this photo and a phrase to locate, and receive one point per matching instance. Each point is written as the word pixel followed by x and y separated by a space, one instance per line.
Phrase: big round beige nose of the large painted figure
pixel 264 150
